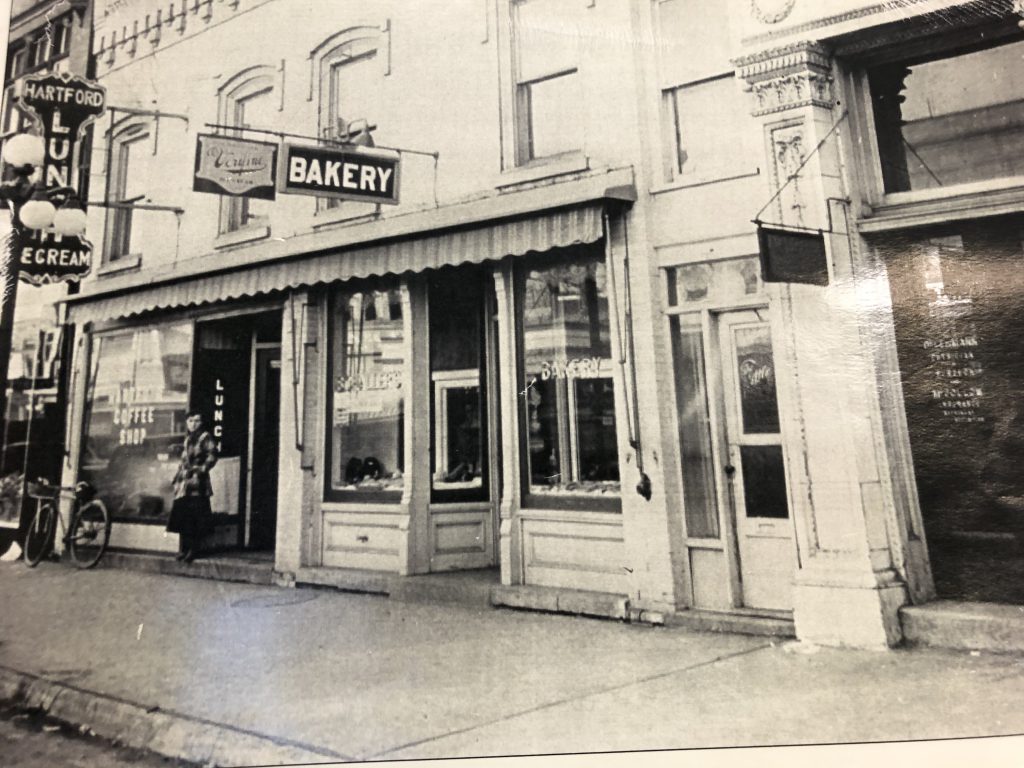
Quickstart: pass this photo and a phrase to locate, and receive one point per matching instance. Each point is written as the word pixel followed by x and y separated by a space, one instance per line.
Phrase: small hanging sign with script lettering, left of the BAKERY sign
pixel 234 166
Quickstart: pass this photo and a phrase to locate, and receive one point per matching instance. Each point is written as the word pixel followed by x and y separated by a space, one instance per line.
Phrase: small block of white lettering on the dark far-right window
pixel 956 368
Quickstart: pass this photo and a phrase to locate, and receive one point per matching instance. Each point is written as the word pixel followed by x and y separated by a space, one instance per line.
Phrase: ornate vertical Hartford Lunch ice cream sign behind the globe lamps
pixel 64 105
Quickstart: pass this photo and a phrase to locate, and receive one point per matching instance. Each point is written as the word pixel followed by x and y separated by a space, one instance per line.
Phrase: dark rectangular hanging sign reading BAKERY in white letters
pixel 351 175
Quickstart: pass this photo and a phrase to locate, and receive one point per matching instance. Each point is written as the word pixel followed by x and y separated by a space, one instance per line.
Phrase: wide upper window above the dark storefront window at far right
pixel 951 118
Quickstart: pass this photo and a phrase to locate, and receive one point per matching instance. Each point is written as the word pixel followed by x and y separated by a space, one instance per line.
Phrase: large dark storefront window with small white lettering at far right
pixel 959 311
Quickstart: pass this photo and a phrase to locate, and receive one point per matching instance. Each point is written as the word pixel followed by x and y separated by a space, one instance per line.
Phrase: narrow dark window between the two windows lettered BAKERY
pixel 459 406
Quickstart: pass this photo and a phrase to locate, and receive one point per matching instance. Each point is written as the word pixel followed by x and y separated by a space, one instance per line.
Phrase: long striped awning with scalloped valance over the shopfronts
pixel 486 241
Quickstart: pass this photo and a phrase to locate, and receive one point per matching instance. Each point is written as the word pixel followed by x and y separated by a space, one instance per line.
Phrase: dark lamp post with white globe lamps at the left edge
pixel 32 208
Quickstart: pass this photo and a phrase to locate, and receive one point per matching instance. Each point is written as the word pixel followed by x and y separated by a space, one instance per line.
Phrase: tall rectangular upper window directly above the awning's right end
pixel 548 95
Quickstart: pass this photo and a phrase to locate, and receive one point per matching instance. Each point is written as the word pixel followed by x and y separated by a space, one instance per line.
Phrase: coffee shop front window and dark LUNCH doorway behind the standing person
pixel 141 381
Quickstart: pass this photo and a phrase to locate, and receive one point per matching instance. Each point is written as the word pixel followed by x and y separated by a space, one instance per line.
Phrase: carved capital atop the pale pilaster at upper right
pixel 797 75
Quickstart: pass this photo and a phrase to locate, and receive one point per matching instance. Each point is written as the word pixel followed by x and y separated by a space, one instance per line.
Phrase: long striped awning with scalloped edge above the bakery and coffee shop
pixel 424 248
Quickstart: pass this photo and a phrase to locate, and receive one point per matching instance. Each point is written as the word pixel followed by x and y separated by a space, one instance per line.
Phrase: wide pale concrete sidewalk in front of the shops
pixel 239 674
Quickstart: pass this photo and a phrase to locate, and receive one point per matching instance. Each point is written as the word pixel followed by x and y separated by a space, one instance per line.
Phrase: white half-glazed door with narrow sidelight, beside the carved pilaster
pixel 736 502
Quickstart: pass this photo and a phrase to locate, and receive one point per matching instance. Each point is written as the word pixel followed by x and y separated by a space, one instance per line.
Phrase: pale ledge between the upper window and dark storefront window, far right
pixel 932 207
